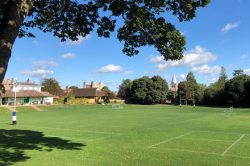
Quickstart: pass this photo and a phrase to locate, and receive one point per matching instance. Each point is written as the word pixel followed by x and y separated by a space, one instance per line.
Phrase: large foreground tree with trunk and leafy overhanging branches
pixel 143 22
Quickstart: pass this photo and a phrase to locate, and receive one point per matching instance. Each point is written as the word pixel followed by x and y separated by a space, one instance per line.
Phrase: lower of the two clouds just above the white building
pixel 41 73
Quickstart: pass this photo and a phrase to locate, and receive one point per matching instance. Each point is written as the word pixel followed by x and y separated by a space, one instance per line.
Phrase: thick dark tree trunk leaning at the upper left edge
pixel 13 17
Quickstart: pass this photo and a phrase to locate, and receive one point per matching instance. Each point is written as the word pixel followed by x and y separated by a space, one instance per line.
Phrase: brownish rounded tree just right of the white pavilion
pixel 52 86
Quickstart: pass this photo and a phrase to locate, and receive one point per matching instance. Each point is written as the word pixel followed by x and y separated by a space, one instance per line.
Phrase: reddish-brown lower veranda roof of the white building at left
pixel 26 93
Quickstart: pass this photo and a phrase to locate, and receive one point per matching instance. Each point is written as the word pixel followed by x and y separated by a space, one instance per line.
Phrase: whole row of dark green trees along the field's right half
pixel 224 92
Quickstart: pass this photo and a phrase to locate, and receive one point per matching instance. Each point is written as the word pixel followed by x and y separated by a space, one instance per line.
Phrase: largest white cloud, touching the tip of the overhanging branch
pixel 192 58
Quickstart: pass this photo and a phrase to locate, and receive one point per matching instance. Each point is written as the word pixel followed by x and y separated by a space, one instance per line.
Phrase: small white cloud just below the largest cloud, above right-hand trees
pixel 207 70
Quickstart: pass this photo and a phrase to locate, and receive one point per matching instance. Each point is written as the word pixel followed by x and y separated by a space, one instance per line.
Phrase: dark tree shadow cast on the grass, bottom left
pixel 13 144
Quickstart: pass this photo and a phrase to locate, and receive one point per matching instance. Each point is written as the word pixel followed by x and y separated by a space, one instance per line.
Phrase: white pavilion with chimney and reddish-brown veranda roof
pixel 26 93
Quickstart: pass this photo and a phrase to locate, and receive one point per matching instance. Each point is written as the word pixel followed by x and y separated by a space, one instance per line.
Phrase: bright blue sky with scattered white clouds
pixel 218 36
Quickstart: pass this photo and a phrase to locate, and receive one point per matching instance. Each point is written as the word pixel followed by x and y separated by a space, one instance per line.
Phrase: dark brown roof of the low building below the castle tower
pixel 88 92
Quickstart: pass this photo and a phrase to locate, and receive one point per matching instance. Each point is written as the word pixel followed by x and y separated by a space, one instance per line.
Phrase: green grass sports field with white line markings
pixel 135 135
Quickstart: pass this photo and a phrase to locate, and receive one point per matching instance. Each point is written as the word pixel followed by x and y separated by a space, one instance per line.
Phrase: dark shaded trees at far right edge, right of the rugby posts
pixel 233 92
